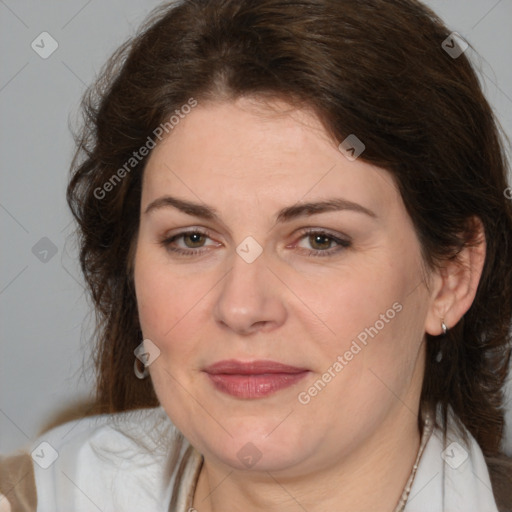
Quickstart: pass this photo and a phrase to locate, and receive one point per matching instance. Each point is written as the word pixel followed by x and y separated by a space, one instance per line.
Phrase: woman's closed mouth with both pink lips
pixel 254 379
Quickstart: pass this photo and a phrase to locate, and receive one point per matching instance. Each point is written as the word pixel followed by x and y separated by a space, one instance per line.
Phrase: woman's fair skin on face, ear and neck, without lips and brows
pixel 248 160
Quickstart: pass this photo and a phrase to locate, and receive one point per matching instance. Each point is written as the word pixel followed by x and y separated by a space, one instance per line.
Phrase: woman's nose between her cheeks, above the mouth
pixel 251 298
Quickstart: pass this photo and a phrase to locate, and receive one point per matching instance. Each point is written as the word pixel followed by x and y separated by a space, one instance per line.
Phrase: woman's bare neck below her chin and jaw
pixel 382 465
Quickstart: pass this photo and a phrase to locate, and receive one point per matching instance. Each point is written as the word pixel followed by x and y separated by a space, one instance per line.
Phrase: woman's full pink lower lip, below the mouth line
pixel 254 386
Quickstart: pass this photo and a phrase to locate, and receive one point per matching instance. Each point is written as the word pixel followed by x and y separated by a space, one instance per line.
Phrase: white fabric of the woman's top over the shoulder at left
pixel 118 460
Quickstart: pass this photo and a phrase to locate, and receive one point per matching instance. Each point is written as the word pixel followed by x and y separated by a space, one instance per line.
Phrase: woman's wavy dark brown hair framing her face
pixel 374 68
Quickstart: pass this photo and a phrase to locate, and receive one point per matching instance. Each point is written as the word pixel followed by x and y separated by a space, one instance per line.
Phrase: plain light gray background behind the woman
pixel 45 316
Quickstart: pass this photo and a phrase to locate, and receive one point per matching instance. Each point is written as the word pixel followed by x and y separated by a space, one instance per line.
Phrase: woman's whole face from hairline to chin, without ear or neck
pixel 343 308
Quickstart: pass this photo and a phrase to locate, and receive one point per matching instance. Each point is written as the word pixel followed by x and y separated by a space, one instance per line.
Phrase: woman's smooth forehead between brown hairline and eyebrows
pixel 253 150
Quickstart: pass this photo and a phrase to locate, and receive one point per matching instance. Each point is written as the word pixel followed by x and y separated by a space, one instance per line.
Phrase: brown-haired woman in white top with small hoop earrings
pixel 294 226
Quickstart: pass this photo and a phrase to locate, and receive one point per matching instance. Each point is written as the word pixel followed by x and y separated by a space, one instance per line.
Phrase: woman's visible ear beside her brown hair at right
pixel 454 285
